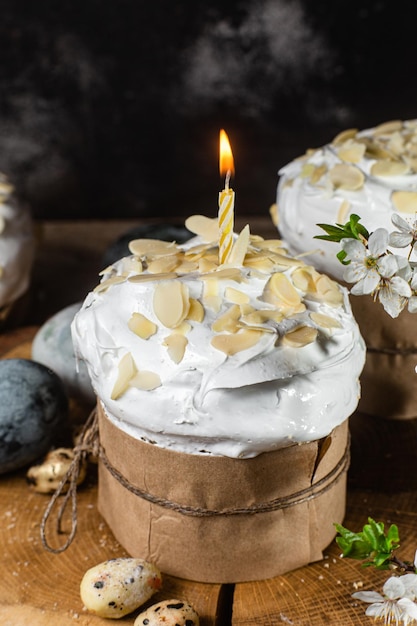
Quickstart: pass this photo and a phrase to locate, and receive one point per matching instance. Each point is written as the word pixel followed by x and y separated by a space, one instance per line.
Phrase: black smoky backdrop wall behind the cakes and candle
pixel 113 108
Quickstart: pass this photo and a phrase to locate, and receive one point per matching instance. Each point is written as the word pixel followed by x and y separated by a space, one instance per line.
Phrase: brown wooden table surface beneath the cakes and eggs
pixel 39 588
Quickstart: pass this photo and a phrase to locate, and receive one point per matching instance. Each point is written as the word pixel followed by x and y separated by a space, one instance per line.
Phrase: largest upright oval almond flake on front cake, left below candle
pixel 171 303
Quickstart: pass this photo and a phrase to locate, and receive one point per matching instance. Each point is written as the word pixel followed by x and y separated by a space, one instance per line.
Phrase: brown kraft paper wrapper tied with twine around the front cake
pixel 223 548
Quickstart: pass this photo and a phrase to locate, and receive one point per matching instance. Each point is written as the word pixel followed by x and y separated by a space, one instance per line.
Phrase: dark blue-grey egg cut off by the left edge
pixel 33 412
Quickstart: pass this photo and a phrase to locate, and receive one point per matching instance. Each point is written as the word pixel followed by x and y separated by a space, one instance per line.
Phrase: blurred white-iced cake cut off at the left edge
pixel 16 249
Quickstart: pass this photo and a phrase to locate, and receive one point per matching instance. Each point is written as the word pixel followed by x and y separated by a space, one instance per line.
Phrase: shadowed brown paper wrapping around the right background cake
pixel 388 380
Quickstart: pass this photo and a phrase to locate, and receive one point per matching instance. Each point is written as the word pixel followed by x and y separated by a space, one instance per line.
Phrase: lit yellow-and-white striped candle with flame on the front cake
pixel 226 200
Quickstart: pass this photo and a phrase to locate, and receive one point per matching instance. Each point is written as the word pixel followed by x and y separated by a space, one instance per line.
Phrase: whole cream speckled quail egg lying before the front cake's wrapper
pixel 117 587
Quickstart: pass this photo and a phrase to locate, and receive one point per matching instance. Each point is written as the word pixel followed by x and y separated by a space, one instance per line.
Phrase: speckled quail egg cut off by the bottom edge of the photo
pixel 168 613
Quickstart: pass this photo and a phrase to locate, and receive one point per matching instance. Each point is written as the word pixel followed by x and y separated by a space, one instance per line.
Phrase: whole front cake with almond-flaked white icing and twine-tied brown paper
pixel 223 397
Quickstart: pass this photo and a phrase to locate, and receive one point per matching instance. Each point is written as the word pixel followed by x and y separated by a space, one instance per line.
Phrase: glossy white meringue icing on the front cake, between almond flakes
pixel 261 398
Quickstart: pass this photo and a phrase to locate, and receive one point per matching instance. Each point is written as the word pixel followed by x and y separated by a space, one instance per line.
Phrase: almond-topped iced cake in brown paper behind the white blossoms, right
pixel 371 173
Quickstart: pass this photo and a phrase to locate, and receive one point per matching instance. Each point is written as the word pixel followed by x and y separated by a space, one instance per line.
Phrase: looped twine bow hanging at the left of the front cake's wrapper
pixel 88 444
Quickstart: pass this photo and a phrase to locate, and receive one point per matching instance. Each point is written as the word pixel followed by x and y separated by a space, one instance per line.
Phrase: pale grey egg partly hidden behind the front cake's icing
pixel 53 347
